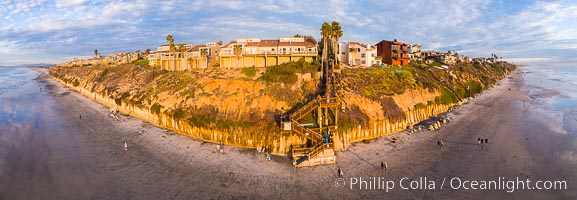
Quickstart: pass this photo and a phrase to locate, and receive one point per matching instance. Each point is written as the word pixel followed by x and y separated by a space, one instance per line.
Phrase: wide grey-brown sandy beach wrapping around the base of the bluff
pixel 87 158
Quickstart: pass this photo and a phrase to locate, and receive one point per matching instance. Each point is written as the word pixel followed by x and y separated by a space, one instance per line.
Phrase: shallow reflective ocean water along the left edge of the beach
pixel 28 117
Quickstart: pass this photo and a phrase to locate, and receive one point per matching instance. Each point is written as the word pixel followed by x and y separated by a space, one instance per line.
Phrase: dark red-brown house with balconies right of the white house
pixel 393 52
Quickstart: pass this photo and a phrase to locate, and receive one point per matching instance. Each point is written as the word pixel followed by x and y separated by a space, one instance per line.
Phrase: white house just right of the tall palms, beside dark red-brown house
pixel 357 54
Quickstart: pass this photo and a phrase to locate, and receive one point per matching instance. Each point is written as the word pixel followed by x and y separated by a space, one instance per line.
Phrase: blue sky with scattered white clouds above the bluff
pixel 54 31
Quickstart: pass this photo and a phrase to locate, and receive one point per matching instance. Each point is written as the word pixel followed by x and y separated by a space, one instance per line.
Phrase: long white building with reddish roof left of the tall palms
pixel 247 52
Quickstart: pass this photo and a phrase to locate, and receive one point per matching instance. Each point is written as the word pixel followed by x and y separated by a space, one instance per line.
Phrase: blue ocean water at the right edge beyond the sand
pixel 554 90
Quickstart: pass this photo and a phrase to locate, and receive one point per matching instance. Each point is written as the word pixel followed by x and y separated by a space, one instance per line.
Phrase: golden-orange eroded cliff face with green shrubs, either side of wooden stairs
pixel 242 107
